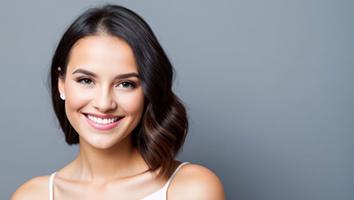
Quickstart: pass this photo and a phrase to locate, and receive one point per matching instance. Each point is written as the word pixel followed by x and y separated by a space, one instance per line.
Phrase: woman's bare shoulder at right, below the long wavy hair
pixel 196 182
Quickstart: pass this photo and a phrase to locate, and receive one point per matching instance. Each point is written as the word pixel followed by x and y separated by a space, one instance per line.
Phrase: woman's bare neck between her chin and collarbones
pixel 103 165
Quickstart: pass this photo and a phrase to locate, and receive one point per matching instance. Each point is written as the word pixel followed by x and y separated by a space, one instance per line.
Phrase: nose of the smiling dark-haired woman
pixel 105 101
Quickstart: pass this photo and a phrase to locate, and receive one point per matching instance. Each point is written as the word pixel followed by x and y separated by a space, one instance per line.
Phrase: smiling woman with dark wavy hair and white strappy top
pixel 111 92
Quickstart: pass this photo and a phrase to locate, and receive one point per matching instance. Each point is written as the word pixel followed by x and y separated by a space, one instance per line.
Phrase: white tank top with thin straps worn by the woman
pixel 160 194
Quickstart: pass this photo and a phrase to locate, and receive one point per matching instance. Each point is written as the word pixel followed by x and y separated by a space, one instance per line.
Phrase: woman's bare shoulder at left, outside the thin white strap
pixel 35 188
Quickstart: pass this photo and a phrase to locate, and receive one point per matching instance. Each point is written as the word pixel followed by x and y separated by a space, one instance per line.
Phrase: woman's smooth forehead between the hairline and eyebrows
pixel 102 53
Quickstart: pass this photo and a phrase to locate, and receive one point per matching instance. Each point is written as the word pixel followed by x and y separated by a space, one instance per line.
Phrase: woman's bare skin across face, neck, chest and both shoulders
pixel 107 165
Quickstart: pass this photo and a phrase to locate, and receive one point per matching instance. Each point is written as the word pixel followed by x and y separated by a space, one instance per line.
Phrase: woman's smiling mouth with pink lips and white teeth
pixel 101 122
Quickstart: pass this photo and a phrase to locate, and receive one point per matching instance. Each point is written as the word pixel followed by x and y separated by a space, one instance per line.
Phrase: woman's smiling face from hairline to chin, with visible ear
pixel 104 99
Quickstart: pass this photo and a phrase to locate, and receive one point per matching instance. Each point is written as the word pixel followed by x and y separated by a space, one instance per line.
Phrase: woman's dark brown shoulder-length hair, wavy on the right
pixel 163 127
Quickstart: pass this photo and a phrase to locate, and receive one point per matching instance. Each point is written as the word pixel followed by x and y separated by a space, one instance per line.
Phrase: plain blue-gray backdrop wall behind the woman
pixel 268 86
